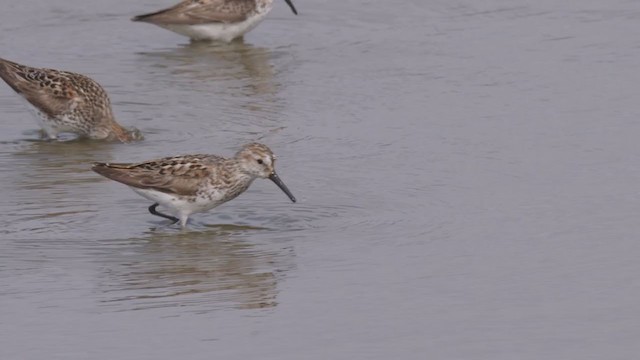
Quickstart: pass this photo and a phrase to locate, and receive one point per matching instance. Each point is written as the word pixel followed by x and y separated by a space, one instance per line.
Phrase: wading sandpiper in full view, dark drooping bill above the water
pixel 195 183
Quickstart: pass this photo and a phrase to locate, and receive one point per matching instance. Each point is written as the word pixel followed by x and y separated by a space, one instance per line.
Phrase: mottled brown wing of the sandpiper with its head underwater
pixel 49 90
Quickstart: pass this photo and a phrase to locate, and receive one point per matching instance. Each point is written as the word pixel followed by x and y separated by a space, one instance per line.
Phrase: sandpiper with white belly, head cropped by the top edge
pixel 212 19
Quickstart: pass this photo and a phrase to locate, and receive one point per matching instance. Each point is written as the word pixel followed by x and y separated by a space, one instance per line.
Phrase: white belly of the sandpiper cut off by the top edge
pixel 217 31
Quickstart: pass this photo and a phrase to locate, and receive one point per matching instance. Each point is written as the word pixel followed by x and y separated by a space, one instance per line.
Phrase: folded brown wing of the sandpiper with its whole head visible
pixel 179 175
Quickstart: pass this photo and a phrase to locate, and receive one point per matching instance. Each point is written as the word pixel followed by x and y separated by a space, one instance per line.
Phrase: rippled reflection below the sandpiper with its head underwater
pixel 48 184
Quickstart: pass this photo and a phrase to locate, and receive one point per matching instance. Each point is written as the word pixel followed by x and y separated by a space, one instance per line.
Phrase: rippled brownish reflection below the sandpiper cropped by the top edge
pixel 240 80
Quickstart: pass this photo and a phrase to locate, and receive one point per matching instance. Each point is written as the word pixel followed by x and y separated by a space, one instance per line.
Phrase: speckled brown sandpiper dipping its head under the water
pixel 66 102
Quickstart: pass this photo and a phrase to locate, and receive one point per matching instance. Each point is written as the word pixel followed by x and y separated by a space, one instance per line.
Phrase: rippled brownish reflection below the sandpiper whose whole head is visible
pixel 207 270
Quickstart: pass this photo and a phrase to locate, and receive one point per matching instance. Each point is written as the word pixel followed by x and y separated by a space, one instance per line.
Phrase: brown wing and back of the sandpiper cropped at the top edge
pixel 201 12
